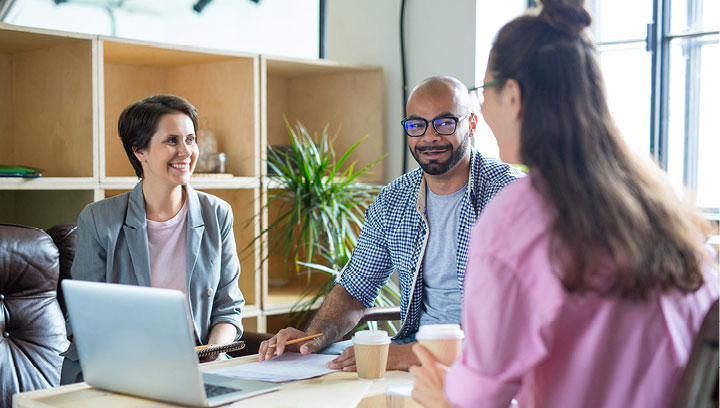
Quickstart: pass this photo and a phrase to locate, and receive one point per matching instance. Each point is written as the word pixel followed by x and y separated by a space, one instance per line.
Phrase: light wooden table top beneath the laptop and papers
pixel 336 390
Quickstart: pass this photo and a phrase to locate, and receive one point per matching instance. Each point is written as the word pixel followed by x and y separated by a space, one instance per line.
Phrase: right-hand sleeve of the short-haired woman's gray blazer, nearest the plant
pixel 229 301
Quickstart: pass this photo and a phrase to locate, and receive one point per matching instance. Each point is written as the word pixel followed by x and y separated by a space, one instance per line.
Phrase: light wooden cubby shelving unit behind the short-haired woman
pixel 62 93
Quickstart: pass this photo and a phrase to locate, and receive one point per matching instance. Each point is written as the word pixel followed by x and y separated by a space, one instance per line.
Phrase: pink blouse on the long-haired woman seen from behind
pixel 528 338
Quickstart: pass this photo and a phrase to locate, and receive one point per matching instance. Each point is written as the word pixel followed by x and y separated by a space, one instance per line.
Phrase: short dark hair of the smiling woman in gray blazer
pixel 138 122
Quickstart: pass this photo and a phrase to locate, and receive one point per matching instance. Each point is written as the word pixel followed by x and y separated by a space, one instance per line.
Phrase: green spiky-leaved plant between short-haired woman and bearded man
pixel 319 206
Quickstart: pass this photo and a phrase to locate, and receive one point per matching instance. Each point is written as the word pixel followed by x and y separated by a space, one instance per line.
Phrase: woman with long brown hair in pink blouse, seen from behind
pixel 587 280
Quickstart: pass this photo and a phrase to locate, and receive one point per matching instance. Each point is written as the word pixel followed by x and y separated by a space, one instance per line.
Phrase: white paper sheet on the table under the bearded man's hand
pixel 288 367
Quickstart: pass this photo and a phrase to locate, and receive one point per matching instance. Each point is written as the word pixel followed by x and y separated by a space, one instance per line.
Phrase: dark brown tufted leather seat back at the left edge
pixel 32 324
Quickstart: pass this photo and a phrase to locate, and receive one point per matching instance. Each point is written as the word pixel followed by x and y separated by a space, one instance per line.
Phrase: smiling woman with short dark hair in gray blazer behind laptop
pixel 163 233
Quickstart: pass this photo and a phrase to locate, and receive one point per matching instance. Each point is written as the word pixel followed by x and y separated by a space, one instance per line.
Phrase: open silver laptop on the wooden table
pixel 138 341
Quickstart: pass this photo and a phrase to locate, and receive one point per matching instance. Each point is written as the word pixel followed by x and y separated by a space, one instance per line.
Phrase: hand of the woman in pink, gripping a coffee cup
pixel 428 390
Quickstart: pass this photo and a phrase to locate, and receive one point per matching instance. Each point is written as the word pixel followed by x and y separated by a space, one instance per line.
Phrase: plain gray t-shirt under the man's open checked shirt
pixel 442 296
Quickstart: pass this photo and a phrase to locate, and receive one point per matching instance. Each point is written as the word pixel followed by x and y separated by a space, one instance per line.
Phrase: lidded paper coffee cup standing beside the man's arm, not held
pixel 371 348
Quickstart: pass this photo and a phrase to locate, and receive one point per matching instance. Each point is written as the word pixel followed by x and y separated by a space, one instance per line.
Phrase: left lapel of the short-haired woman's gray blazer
pixel 135 229
